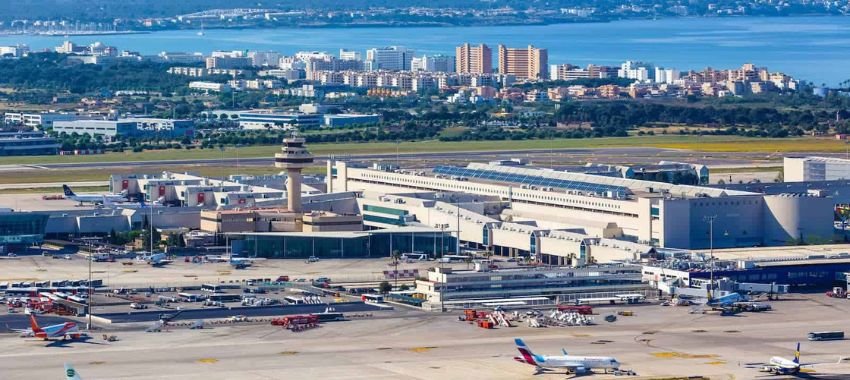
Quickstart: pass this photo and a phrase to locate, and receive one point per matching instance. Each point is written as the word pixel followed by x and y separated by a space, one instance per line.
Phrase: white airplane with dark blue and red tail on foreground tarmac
pixel 575 364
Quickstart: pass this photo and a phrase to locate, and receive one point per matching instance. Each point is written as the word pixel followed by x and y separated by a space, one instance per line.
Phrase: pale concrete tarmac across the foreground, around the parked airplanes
pixel 658 342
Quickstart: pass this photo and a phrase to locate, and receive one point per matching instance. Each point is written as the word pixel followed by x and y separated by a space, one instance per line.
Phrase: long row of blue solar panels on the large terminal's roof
pixel 525 179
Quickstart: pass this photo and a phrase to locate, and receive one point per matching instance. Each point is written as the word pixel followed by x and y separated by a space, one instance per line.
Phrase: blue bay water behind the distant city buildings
pixel 815 49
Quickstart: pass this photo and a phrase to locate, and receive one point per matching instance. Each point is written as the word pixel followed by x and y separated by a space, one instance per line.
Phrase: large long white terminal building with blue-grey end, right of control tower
pixel 540 203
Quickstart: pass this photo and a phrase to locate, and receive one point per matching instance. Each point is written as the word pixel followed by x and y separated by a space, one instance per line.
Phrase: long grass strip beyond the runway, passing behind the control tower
pixel 727 144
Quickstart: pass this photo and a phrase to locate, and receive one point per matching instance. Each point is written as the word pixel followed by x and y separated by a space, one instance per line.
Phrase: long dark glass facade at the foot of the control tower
pixel 343 246
